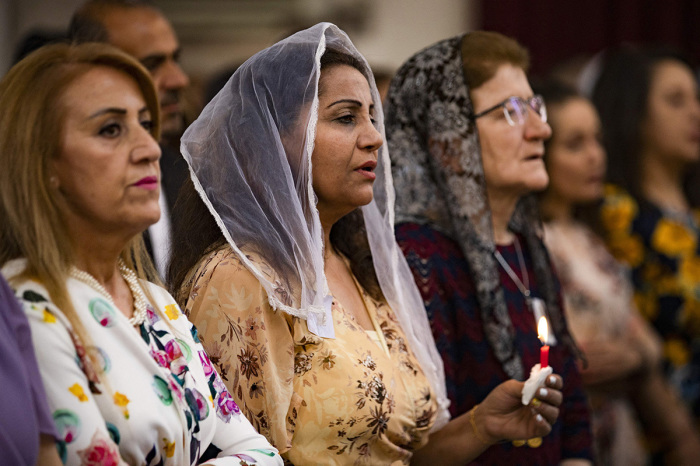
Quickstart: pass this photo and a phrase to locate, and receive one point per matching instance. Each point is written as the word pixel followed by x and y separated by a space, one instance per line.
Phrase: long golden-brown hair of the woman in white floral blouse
pixel 31 127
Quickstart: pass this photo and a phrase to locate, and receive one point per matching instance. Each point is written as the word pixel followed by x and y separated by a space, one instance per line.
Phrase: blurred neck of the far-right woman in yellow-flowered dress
pixel 662 183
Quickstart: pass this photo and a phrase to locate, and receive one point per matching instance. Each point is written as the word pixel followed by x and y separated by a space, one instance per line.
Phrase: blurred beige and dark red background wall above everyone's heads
pixel 216 34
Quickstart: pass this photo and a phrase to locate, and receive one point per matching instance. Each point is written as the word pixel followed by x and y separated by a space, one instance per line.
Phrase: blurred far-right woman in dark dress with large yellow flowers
pixel 648 104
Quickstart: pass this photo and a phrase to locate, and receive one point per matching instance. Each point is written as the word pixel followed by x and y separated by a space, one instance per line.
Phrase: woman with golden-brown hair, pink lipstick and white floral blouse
pixel 126 377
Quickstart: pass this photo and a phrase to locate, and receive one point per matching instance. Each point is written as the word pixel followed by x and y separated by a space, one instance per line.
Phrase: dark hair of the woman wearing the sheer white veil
pixel 197 234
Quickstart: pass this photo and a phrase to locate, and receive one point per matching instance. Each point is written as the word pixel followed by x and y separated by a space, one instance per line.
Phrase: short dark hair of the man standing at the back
pixel 86 25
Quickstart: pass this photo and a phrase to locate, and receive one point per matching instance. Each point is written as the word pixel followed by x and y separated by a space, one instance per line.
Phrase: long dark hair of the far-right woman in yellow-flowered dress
pixel 621 95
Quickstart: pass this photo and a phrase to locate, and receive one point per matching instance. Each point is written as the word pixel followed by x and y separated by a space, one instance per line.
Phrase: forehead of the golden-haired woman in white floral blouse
pixel 101 87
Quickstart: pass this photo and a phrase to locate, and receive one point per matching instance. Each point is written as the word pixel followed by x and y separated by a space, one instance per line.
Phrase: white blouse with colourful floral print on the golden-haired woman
pixel 153 399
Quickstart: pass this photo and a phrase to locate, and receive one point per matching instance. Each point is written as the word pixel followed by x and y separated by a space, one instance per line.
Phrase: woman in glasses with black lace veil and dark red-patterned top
pixel 466 136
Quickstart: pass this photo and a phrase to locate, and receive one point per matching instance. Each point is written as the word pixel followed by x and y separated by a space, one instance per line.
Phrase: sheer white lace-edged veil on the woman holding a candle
pixel 249 154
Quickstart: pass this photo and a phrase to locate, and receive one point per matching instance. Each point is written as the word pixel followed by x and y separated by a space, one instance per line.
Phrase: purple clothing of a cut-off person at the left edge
pixel 24 412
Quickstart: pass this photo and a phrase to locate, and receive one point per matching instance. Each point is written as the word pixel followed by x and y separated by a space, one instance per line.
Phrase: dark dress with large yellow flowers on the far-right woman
pixel 663 251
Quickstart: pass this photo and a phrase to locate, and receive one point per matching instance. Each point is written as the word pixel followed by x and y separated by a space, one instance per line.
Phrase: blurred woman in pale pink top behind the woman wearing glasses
pixel 623 376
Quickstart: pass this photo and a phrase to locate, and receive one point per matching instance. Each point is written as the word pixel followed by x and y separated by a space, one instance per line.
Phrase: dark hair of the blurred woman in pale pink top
pixel 556 94
